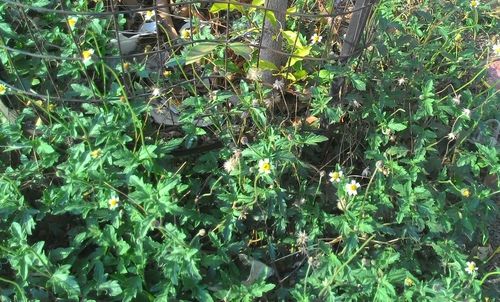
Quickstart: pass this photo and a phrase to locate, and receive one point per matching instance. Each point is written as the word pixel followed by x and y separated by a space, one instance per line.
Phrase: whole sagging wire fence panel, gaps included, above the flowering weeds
pixel 93 51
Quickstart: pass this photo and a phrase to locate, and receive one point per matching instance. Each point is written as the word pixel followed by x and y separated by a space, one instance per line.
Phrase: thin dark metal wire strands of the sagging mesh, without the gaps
pixel 162 50
